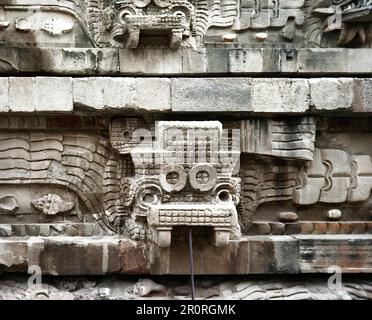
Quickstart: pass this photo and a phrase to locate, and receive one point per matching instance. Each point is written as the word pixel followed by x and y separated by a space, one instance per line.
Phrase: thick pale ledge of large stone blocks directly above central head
pixel 185 95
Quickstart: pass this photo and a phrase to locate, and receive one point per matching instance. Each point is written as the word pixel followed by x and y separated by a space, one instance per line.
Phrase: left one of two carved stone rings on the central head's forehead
pixel 173 178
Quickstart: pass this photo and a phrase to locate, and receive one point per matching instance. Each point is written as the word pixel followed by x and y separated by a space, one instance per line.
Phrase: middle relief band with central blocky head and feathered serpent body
pixel 152 180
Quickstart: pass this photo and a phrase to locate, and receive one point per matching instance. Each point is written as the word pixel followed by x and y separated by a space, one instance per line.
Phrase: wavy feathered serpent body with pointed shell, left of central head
pixel 72 161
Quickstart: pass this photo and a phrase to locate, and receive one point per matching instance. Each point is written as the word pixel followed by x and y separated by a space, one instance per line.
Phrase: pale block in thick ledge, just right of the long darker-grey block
pixel 280 95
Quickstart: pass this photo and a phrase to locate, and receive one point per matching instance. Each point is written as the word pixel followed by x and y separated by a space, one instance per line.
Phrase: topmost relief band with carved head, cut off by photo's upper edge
pixel 186 23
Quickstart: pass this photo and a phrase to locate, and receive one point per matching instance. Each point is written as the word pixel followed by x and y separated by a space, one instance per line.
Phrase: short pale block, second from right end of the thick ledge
pixel 331 93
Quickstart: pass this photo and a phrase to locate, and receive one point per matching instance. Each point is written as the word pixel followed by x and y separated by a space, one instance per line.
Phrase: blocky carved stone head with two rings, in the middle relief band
pixel 172 187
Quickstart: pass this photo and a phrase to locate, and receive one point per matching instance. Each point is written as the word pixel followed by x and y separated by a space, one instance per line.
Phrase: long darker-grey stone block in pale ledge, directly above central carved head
pixel 211 94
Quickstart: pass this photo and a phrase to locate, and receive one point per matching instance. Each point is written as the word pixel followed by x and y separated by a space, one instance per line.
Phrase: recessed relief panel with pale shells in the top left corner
pixel 48 24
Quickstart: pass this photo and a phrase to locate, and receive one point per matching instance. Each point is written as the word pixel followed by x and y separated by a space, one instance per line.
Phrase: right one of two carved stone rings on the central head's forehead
pixel 203 177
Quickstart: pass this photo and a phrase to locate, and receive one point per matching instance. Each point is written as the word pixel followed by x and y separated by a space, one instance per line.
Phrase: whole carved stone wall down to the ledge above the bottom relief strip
pixel 123 126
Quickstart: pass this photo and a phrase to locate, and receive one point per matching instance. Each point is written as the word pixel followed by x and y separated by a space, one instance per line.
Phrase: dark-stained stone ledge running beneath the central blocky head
pixel 250 255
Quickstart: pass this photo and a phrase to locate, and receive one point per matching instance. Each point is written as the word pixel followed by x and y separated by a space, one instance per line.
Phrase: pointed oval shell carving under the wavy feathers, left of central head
pixel 52 204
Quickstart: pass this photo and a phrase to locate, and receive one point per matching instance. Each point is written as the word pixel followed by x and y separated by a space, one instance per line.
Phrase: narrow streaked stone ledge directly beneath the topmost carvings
pixel 233 61
